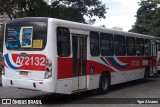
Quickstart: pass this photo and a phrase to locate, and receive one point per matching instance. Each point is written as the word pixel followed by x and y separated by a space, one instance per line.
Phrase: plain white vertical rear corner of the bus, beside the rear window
pixel 51 50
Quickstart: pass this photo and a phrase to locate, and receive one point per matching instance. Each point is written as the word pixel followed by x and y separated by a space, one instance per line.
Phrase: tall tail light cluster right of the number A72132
pixel 48 69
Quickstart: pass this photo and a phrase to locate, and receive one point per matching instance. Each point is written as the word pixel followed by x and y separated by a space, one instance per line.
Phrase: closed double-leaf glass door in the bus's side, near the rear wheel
pixel 79 48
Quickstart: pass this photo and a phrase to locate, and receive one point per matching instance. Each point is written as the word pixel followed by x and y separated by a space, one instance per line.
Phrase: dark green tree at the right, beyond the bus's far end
pixel 148 18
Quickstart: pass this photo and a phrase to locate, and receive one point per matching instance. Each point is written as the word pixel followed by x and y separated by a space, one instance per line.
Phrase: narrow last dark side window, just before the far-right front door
pixel 147 47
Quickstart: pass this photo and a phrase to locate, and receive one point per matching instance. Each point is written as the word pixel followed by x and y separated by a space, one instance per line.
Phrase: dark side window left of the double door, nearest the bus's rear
pixel 63 42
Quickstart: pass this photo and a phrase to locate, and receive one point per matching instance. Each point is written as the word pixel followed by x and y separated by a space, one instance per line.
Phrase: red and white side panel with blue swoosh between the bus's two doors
pixel 122 69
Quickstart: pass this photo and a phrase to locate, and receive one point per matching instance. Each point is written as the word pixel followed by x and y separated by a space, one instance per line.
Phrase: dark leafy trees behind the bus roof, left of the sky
pixel 73 10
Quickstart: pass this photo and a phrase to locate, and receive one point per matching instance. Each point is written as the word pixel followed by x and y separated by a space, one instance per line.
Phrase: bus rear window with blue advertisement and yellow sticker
pixel 26 36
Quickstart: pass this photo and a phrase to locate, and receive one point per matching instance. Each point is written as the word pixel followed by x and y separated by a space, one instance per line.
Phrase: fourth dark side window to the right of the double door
pixel 130 45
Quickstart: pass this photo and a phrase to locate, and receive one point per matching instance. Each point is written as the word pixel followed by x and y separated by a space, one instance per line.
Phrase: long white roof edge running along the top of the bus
pixel 82 26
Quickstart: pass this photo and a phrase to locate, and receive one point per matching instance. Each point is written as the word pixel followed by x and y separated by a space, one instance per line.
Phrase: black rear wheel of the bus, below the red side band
pixel 104 83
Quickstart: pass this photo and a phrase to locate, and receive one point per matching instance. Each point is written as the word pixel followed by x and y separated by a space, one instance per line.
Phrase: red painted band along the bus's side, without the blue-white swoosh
pixel 65 66
